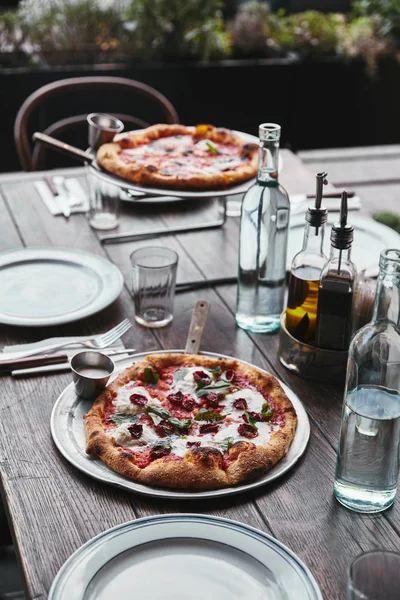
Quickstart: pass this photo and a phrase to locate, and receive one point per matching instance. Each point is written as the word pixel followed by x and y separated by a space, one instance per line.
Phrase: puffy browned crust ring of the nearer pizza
pixel 201 467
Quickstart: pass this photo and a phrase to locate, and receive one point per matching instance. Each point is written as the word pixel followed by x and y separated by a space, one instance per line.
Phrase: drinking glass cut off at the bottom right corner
pixel 374 575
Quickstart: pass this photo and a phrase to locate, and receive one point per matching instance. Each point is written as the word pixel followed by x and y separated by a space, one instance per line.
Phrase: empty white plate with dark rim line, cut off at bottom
pixel 177 557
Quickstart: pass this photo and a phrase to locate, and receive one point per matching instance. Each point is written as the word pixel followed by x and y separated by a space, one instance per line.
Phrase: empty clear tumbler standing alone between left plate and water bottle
pixel 154 277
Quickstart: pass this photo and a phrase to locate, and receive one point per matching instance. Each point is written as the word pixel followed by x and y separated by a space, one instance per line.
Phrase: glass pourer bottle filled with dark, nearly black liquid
pixel 336 288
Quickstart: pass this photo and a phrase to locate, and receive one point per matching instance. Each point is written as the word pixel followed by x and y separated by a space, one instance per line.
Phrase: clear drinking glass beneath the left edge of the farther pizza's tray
pixel 104 202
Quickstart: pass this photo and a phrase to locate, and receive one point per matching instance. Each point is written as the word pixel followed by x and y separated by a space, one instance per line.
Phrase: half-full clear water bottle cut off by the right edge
pixel 368 456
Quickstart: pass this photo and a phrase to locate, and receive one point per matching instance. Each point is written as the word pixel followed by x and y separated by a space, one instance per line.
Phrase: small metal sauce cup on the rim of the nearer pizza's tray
pixel 84 365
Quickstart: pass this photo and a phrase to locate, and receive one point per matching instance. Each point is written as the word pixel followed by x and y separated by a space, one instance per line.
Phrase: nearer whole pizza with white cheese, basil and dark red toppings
pixel 190 421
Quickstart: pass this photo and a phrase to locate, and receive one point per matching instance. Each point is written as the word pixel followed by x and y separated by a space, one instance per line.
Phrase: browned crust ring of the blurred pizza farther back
pixel 109 157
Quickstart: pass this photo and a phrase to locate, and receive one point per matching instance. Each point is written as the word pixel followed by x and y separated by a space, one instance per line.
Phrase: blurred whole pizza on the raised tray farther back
pixel 180 157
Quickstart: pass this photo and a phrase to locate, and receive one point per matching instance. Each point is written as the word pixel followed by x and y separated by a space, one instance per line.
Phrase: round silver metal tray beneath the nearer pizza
pixel 68 434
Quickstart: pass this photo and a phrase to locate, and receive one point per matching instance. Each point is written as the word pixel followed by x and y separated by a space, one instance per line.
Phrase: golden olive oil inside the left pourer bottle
pixel 301 312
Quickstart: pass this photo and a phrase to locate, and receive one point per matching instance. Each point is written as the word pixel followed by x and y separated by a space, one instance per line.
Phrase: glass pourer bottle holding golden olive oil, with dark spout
pixel 305 272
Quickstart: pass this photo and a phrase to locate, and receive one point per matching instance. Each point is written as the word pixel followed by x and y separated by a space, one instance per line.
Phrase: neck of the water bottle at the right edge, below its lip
pixel 387 298
